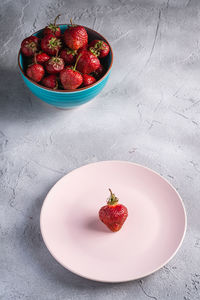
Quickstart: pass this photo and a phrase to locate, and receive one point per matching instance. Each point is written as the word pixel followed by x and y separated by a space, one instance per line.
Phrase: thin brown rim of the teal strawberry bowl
pixel 69 91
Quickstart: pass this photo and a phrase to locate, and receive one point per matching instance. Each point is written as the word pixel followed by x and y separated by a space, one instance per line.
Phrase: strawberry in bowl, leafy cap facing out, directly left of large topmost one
pixel 50 44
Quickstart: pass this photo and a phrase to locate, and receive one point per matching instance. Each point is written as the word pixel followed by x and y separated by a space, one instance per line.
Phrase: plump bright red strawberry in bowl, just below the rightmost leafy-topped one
pixel 88 62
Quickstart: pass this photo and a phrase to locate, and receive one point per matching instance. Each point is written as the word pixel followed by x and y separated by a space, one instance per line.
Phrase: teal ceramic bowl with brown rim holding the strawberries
pixel 68 98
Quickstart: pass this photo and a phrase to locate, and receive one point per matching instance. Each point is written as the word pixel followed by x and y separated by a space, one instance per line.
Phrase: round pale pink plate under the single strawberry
pixel 77 239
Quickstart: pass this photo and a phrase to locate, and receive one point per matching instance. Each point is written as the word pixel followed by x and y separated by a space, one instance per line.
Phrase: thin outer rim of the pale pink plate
pixel 126 280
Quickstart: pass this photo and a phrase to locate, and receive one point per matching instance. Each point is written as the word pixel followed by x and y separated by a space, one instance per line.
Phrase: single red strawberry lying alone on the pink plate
pixel 113 215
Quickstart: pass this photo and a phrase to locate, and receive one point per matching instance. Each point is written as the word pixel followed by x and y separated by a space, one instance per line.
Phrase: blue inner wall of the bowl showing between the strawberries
pixel 24 61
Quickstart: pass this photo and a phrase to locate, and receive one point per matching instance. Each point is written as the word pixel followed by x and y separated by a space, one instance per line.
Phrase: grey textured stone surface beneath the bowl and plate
pixel 148 113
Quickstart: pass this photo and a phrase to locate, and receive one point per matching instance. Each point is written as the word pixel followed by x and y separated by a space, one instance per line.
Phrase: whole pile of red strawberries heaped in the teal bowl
pixel 64 61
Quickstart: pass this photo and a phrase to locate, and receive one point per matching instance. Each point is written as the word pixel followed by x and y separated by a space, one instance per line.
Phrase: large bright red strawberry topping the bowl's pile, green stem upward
pixel 75 36
